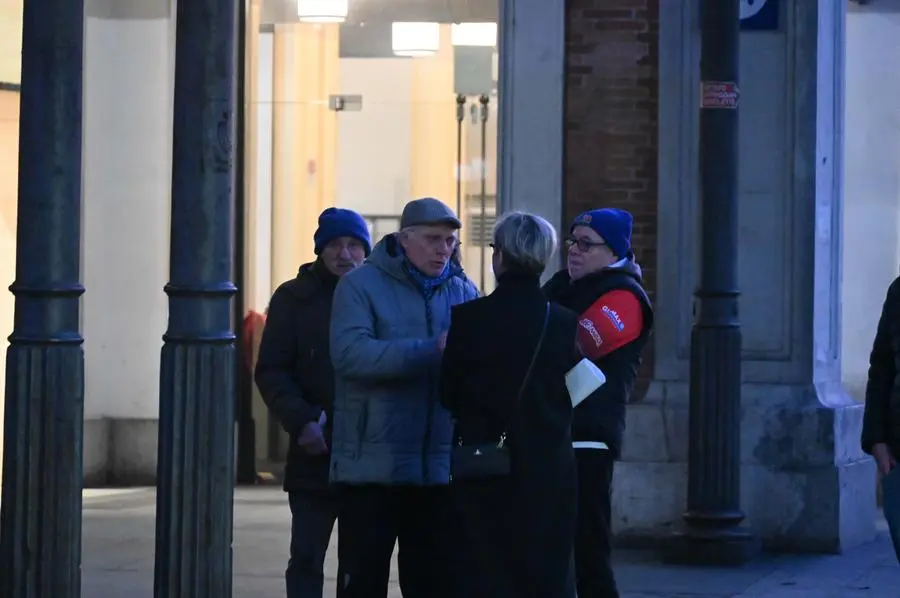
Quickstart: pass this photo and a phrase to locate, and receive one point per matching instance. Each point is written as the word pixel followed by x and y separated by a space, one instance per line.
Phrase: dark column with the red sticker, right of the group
pixel 714 468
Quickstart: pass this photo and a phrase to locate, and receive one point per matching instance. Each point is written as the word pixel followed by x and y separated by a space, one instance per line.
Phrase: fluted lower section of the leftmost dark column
pixel 40 516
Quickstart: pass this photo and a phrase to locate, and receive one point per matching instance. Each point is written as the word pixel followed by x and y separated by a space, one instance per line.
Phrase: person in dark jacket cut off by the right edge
pixel 881 422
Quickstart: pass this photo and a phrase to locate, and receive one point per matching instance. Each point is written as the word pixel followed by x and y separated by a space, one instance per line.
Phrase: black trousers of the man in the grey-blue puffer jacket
pixel 374 518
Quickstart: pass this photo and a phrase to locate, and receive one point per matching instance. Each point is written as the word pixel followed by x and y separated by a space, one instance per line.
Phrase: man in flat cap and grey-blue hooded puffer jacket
pixel 391 440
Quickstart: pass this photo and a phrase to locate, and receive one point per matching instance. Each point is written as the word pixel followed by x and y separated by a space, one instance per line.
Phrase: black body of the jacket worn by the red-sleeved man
pixel 601 416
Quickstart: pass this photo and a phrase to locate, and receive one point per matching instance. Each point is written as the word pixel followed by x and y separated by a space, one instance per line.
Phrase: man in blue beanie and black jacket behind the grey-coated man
pixel 296 379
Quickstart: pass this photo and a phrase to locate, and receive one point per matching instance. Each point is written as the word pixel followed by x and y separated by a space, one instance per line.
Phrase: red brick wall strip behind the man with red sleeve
pixel 612 50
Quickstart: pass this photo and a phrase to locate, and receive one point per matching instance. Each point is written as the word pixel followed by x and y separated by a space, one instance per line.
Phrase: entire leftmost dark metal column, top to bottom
pixel 40 517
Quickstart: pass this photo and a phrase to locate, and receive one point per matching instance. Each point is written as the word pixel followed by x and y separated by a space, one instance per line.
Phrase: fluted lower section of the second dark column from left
pixel 194 501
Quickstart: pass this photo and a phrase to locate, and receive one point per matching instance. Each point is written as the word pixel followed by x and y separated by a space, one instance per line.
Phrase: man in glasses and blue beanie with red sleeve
pixel 602 282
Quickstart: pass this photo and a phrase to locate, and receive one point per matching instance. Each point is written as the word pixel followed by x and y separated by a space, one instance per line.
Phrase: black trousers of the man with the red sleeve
pixel 593 537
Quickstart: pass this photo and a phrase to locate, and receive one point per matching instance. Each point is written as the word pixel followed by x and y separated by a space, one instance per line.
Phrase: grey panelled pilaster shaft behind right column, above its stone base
pixel 802 316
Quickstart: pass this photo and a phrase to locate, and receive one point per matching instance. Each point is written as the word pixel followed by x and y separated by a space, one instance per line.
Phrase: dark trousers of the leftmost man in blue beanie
pixel 313 513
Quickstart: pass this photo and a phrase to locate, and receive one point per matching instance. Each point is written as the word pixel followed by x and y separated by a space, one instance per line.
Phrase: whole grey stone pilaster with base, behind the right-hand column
pixel 805 483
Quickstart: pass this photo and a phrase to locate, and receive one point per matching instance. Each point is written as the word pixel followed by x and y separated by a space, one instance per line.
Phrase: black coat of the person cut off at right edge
pixel 881 422
